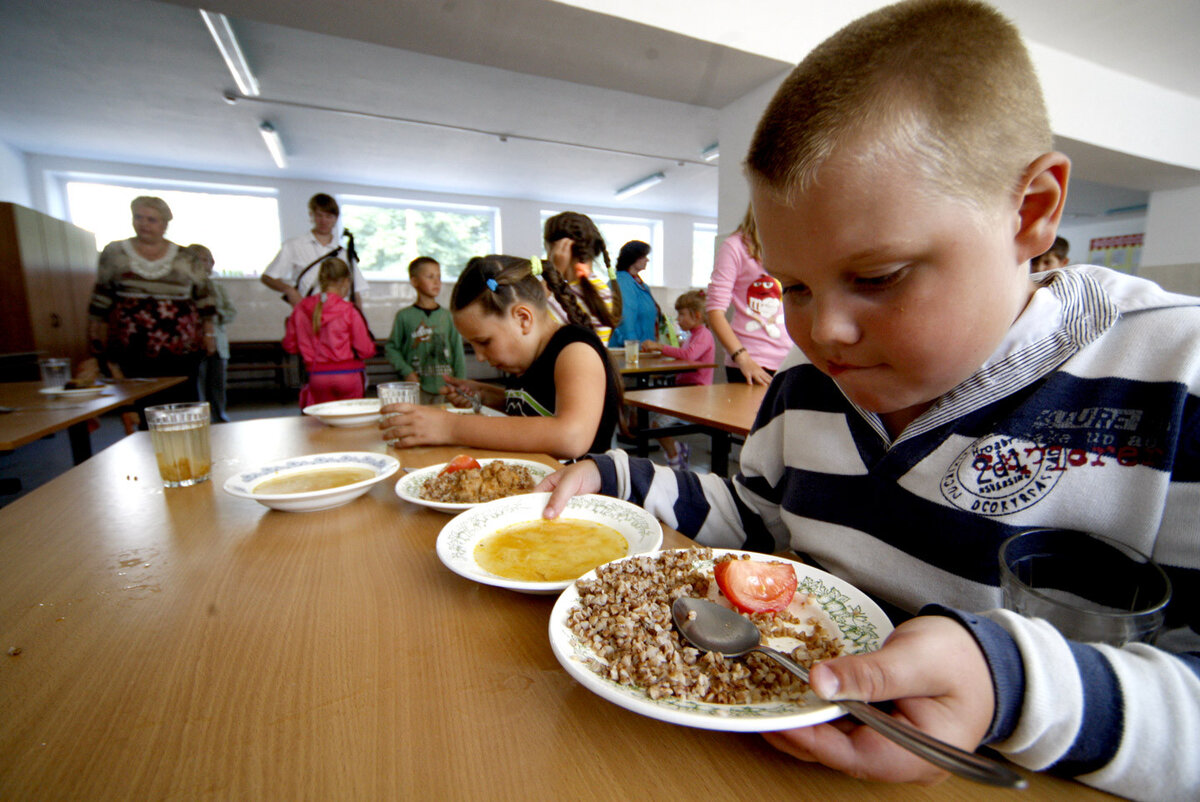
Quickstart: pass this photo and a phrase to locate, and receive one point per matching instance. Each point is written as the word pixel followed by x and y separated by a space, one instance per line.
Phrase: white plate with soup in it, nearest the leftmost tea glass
pixel 304 484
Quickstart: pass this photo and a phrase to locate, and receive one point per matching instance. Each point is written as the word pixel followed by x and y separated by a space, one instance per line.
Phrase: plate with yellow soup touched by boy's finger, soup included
pixel 508 544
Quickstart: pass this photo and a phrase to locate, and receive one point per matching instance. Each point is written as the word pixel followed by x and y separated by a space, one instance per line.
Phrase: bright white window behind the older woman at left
pixel 239 225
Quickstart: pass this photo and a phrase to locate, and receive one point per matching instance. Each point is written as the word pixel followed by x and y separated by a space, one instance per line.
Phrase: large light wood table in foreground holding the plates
pixel 185 644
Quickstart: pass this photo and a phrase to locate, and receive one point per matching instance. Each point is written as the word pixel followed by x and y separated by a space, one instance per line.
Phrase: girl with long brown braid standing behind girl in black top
pixel 581 291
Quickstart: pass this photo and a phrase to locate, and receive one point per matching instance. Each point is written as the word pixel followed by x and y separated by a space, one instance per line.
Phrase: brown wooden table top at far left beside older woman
pixel 39 415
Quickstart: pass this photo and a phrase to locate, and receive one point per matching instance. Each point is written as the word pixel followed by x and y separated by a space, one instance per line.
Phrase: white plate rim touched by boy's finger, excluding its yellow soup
pixel 459 538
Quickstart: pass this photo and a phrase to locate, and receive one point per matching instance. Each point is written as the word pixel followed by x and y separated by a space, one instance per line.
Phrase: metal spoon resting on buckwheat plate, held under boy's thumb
pixel 713 629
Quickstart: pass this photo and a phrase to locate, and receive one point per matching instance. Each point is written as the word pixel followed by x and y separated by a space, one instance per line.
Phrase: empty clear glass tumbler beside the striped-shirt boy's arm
pixel 1090 588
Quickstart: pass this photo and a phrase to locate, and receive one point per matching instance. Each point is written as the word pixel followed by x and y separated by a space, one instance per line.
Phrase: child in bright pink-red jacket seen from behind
pixel 332 337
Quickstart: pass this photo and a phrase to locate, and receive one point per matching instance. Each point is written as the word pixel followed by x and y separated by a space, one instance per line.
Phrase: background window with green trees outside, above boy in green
pixel 391 234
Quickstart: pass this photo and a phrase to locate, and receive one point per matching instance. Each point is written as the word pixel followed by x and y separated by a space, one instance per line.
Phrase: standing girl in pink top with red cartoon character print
pixel 755 340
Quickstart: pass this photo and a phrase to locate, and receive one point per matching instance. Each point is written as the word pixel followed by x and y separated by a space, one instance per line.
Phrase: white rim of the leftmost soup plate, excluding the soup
pixel 245 484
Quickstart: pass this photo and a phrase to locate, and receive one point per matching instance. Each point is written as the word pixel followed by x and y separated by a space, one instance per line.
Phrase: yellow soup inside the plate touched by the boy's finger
pixel 550 552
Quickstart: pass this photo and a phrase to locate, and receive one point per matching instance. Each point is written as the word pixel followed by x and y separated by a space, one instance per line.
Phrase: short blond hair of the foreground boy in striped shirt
pixel 945 86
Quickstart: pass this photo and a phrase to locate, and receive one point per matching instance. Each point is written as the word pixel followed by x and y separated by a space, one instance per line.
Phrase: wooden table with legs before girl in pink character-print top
pixel 718 410
